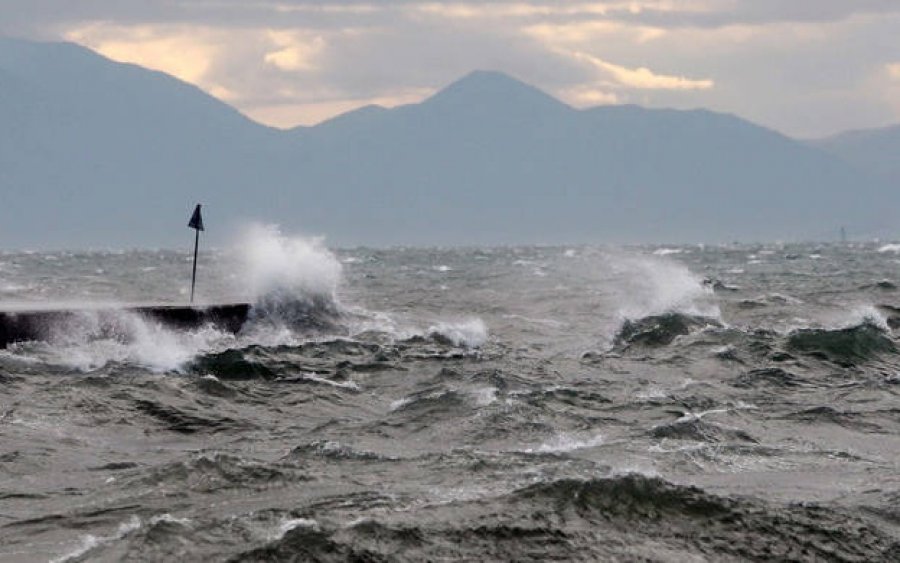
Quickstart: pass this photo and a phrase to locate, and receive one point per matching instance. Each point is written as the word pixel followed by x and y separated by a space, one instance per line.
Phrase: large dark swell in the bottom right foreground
pixel 686 518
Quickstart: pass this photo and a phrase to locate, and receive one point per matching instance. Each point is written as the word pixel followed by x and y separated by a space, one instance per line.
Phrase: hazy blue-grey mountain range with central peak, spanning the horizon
pixel 97 153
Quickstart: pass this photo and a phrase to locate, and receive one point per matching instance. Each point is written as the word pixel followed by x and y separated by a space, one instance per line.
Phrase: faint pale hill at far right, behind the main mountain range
pixel 873 150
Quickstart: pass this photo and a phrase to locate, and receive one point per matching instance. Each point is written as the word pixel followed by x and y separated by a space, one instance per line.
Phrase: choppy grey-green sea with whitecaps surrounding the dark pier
pixel 673 404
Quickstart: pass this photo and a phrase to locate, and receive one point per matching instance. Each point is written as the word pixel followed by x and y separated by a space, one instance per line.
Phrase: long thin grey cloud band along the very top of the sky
pixel 33 16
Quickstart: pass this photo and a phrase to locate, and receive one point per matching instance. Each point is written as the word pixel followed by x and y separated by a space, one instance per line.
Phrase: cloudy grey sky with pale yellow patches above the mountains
pixel 807 68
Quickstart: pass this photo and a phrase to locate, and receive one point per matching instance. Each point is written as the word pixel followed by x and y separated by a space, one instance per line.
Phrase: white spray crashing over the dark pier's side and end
pixel 292 282
